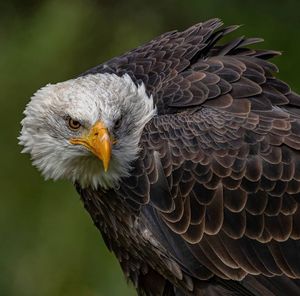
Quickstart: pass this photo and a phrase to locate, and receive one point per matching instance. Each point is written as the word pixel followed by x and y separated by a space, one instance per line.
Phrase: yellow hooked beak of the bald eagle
pixel 97 141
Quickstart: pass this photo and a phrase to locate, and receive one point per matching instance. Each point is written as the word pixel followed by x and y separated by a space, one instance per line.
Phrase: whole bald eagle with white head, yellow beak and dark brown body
pixel 185 153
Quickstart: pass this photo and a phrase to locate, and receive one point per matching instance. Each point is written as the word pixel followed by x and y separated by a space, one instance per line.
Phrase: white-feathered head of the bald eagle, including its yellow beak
pixel 86 129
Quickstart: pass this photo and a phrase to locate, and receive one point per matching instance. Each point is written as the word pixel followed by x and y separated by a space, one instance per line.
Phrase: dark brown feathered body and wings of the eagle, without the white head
pixel 212 203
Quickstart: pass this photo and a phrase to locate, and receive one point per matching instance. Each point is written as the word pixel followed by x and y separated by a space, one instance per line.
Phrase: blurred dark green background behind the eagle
pixel 48 244
